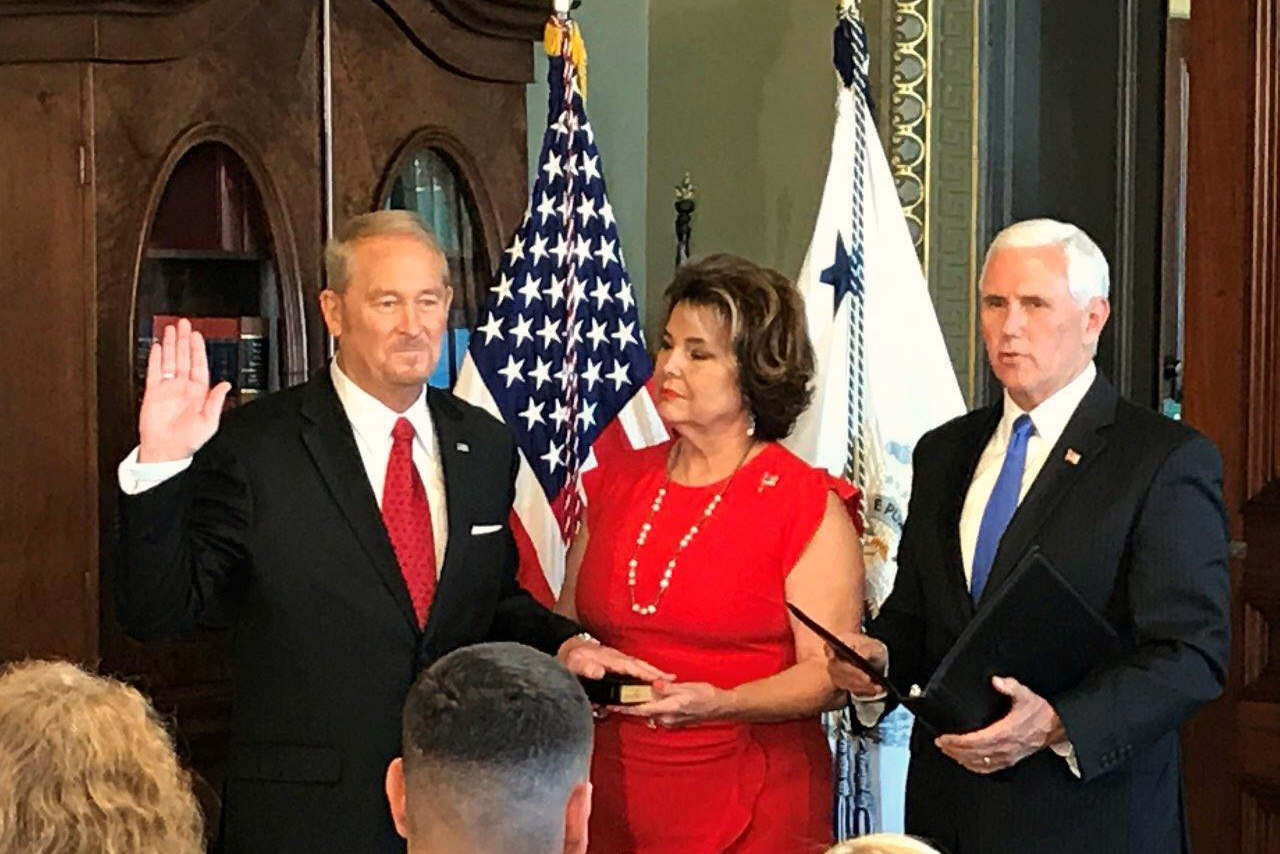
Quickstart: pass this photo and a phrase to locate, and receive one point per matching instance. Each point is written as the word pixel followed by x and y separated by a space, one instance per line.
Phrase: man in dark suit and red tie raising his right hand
pixel 355 528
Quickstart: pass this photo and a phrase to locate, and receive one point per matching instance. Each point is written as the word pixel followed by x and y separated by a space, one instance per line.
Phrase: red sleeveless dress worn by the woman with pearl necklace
pixel 724 787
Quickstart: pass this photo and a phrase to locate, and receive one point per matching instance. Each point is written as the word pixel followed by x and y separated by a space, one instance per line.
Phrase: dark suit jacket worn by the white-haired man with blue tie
pixel 1140 529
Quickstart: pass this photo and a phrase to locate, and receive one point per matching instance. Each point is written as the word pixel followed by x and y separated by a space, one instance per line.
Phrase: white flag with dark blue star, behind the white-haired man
pixel 884 380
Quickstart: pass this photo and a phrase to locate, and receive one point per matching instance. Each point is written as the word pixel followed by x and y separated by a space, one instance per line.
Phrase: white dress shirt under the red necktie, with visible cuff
pixel 372 423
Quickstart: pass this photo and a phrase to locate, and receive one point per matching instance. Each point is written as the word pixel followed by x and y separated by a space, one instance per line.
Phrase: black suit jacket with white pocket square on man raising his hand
pixel 276 523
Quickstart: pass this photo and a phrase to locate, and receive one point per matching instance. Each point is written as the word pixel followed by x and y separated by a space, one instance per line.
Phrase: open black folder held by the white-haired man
pixel 1036 628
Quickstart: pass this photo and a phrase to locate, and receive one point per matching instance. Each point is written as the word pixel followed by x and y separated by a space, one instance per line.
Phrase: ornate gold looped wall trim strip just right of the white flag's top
pixel 909 118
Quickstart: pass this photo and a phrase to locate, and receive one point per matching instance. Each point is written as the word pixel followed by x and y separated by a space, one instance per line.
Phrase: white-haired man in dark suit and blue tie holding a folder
pixel 1128 506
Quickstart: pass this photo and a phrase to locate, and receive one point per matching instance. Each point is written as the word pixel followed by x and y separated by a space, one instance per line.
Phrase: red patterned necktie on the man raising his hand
pixel 408 517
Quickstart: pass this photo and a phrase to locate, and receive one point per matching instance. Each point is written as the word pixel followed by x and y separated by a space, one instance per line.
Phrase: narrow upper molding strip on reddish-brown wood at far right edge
pixel 1263 431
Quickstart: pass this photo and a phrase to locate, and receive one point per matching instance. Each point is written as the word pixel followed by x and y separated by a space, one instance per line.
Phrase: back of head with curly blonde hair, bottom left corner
pixel 88 768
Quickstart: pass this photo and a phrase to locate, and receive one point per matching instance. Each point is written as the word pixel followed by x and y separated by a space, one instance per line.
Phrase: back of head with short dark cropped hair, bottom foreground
pixel 497 751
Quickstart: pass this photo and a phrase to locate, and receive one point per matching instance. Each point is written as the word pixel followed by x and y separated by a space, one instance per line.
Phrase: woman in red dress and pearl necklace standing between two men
pixel 689 552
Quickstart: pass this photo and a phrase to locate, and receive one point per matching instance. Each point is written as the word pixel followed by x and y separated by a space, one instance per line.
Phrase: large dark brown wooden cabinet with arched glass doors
pixel 104 107
